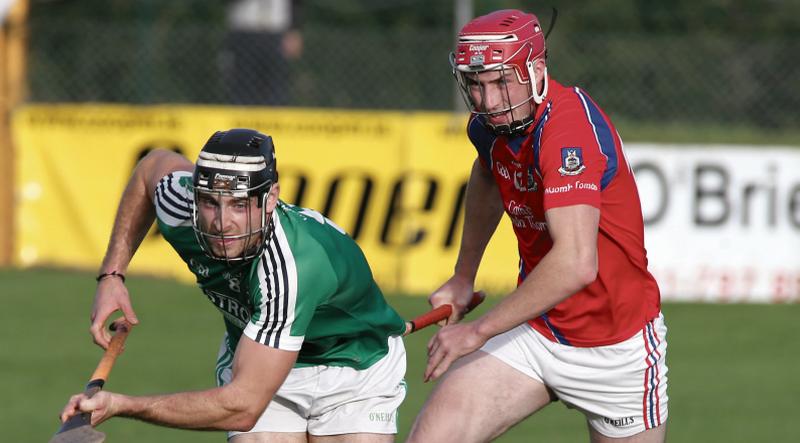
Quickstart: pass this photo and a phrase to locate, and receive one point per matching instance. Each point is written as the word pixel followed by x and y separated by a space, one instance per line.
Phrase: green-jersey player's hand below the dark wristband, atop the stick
pixel 111 296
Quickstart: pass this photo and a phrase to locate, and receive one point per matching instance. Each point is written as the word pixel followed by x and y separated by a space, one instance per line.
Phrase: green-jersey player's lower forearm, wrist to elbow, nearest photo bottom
pixel 213 409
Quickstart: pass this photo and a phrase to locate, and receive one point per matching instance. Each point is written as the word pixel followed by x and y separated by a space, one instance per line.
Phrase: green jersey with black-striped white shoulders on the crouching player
pixel 311 290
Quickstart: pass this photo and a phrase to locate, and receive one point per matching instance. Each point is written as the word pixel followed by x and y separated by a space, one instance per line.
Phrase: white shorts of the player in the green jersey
pixel 332 400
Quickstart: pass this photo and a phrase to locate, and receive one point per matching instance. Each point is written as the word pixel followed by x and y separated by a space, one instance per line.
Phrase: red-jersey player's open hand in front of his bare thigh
pixel 448 345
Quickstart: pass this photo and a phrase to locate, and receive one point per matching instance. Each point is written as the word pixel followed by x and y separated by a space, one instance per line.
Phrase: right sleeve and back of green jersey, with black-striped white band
pixel 322 297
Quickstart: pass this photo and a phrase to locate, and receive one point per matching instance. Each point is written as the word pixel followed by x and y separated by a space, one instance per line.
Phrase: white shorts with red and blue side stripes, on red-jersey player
pixel 620 388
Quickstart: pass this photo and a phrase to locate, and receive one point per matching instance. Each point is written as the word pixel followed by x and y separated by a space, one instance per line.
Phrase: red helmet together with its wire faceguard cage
pixel 501 43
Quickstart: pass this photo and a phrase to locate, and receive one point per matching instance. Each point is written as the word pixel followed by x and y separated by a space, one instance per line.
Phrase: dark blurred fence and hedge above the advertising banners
pixel 728 62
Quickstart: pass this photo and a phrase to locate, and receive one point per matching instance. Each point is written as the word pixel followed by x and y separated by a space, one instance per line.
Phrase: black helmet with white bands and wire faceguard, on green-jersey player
pixel 235 168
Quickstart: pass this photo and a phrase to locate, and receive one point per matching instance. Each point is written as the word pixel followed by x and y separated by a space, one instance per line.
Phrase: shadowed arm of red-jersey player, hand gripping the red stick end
pixel 482 214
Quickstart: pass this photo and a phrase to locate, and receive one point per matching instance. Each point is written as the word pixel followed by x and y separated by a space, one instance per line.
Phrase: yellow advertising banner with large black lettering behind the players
pixel 395 181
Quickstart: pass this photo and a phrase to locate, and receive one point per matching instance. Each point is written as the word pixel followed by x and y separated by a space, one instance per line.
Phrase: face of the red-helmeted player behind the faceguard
pixel 500 94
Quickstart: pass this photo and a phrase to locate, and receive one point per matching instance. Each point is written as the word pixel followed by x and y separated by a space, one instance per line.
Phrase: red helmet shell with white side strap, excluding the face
pixel 506 39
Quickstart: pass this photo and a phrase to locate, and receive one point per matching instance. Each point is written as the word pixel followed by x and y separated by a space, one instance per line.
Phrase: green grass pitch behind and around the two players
pixel 733 368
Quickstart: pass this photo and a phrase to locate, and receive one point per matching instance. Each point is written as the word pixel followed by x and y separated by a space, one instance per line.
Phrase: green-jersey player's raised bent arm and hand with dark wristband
pixel 134 217
